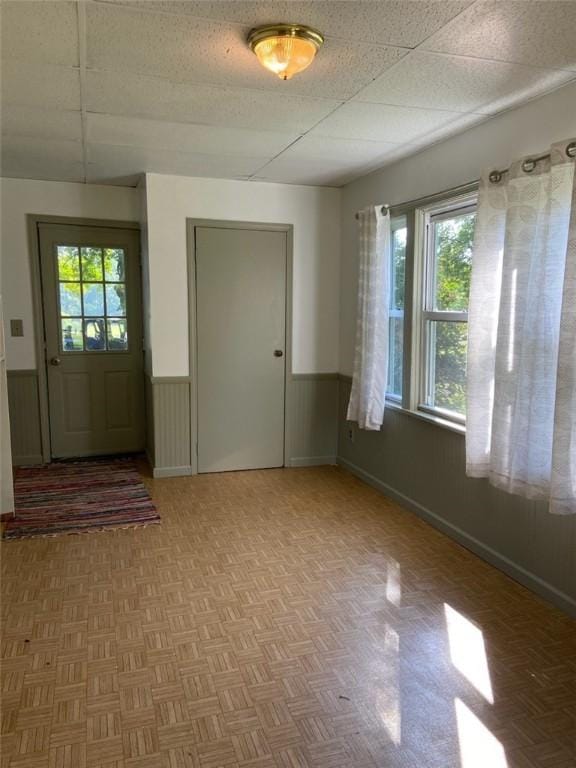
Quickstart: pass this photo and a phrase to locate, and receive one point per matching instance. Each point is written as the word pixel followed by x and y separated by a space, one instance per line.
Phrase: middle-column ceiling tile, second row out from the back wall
pixel 182 137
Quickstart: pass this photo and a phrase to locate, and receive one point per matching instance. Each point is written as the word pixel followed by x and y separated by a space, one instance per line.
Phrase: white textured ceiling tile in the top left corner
pixel 44 32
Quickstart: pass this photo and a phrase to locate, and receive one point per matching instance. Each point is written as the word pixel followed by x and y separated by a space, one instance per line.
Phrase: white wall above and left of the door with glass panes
pixel 22 196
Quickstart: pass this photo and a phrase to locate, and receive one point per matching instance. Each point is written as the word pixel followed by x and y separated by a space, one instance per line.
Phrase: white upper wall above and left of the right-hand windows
pixel 458 160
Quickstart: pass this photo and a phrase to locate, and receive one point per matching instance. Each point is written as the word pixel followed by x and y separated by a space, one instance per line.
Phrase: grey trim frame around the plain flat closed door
pixel 261 226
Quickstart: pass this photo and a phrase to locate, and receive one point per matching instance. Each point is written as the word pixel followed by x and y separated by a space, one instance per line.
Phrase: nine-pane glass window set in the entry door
pixel 92 299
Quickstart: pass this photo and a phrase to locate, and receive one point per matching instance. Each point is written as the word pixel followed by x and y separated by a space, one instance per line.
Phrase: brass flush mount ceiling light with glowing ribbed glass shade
pixel 285 49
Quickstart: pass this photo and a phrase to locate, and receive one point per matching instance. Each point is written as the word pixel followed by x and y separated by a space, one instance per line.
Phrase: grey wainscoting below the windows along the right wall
pixel 422 466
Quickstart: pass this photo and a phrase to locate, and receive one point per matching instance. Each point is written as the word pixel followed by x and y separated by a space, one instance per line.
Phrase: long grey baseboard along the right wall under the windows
pixel 509 567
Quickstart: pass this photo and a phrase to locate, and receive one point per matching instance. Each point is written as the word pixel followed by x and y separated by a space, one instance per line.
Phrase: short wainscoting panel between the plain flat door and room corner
pixel 312 420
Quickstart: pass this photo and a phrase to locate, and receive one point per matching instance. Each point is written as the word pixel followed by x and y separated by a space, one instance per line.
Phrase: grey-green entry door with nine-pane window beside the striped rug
pixel 93 324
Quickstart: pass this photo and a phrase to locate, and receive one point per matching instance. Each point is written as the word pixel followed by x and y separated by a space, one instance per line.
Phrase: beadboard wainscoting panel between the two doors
pixel 168 410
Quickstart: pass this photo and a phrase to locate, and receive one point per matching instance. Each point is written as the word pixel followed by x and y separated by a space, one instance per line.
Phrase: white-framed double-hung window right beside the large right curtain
pixel 447 251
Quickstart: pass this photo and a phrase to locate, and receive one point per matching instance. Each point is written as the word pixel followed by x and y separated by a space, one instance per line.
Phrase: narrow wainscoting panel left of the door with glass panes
pixel 24 410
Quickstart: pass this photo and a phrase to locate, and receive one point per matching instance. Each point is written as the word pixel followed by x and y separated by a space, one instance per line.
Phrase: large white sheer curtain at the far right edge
pixel 521 409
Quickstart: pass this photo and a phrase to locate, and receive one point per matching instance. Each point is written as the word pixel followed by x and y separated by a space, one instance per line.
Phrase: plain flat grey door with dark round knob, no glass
pixel 241 340
